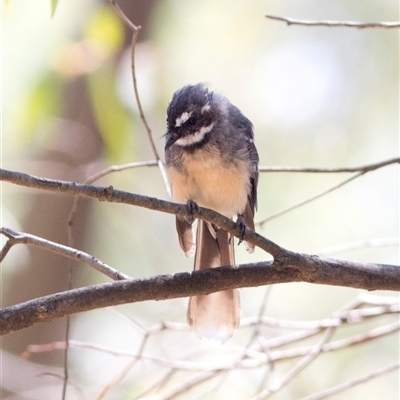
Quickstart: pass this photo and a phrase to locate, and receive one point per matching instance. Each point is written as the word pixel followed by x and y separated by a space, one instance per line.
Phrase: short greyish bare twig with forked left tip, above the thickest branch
pixel 25 238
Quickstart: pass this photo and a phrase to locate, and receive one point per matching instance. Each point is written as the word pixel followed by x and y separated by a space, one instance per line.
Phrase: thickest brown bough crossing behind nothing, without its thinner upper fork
pixel 300 268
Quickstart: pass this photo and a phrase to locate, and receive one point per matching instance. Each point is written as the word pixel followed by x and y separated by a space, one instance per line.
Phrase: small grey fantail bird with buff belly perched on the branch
pixel 212 161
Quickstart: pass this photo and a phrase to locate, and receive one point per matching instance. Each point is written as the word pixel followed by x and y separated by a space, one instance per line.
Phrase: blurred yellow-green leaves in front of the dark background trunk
pixel 92 53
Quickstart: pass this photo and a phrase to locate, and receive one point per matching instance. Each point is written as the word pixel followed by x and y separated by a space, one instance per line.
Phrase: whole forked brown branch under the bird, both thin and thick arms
pixel 286 267
